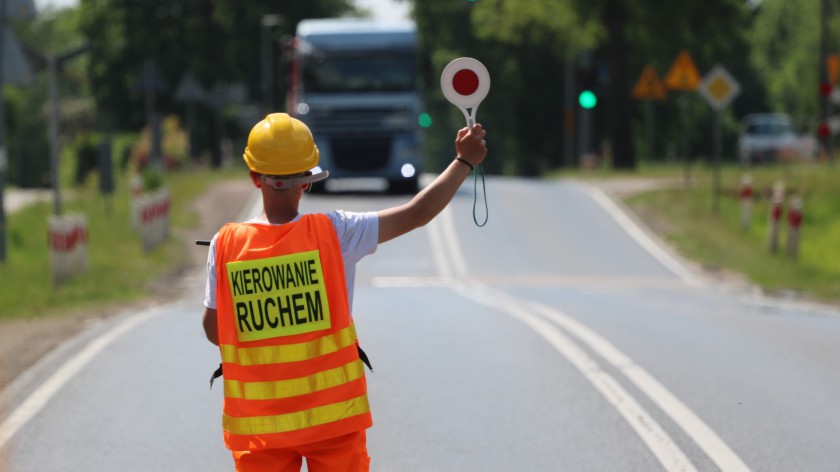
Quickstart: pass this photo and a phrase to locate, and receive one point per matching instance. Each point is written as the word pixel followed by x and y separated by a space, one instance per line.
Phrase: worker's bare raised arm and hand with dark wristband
pixel 471 150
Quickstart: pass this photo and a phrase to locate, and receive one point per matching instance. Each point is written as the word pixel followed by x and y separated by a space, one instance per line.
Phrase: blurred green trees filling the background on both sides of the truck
pixel 531 48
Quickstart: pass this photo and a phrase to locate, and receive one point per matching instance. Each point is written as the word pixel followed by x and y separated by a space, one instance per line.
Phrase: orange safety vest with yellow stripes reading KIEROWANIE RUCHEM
pixel 292 373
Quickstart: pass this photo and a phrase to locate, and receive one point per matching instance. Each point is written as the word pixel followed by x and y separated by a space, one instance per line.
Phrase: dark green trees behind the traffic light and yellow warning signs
pixel 526 45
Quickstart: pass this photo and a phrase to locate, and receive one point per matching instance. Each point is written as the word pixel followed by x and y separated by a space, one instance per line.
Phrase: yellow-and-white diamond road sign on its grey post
pixel 719 88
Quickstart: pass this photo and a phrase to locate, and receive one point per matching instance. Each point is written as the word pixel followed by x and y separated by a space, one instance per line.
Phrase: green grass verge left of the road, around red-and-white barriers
pixel 120 271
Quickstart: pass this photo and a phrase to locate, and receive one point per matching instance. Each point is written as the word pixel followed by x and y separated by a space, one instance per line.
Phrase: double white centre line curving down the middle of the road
pixel 446 242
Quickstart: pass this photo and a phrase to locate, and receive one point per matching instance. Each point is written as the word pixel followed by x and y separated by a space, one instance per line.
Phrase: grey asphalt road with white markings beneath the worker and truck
pixel 557 337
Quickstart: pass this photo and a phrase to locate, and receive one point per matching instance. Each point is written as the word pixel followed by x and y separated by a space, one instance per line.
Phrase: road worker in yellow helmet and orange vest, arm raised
pixel 278 304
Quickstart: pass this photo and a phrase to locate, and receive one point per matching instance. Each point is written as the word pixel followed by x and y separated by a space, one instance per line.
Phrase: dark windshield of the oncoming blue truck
pixel 375 72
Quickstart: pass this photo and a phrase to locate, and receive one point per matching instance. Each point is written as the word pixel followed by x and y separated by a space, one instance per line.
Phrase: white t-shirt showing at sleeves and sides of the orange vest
pixel 358 235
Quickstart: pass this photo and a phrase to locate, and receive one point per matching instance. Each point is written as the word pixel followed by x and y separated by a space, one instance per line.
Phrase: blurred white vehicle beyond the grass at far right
pixel 768 138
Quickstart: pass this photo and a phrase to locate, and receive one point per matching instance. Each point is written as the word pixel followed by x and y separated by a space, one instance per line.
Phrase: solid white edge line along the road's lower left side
pixel 38 399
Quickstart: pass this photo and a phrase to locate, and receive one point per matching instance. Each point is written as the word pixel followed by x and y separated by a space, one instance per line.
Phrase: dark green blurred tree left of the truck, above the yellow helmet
pixel 218 40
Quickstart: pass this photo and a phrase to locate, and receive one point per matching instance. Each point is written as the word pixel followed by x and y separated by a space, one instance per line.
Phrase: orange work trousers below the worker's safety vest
pixel 346 453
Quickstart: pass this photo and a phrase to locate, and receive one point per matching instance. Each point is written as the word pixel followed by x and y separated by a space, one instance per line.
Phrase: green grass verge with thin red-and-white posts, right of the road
pixel 687 218
